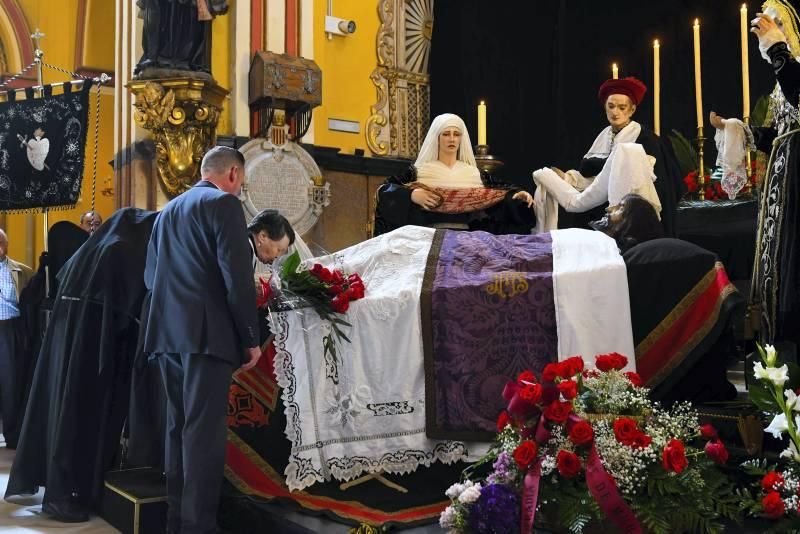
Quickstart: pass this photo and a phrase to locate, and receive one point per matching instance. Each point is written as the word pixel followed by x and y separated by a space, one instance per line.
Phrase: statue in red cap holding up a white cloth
pixel 625 158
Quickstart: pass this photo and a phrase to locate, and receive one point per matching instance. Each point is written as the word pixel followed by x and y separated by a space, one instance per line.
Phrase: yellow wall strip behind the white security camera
pixel 346 63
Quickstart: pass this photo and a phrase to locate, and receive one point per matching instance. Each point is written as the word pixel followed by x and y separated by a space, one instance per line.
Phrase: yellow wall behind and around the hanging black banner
pixel 59 25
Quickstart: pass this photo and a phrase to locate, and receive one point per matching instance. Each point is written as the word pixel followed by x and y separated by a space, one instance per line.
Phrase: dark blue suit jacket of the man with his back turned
pixel 200 276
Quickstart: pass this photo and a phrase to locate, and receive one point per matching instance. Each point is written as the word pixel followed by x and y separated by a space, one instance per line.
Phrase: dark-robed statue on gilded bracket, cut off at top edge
pixel 176 37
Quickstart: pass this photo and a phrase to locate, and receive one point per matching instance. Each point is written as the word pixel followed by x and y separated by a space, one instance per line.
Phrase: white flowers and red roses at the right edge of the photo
pixel 777 491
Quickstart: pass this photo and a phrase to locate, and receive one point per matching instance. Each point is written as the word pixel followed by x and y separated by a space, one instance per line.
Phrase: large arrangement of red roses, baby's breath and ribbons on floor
pixel 584 445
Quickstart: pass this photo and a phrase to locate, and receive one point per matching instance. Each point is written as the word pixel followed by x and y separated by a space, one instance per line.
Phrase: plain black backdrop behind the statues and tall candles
pixel 538 65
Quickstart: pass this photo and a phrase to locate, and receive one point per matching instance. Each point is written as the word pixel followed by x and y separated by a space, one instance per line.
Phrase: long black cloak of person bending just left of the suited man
pixel 79 396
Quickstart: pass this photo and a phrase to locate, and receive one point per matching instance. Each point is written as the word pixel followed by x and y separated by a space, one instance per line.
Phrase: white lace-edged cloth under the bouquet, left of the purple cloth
pixel 366 412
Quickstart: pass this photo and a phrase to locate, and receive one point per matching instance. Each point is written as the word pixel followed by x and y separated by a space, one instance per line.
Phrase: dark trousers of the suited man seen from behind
pixel 197 399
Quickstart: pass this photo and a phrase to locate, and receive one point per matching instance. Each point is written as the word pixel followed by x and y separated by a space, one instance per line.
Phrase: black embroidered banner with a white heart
pixel 42 142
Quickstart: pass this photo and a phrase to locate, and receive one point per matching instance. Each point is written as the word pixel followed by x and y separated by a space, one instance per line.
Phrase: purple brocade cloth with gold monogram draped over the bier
pixel 487 315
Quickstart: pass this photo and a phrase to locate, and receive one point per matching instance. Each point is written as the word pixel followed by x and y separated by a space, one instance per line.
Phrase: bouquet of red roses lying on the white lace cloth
pixel 329 292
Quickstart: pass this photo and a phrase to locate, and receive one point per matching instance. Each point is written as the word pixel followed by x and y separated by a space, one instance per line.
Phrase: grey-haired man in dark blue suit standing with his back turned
pixel 201 325
